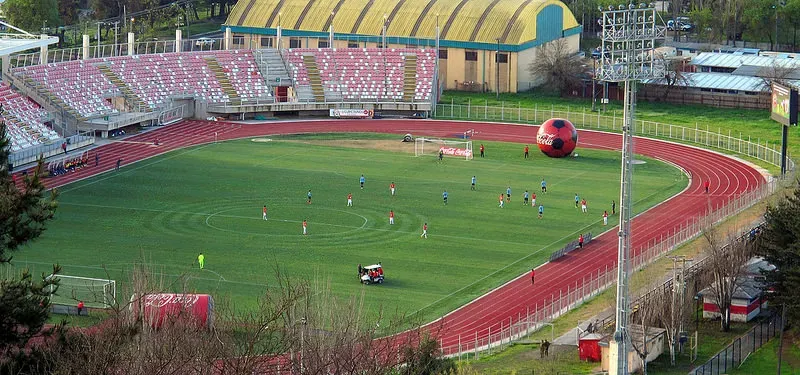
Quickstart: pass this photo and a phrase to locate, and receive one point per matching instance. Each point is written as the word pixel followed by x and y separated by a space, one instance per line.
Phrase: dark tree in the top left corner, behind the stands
pixel 32 15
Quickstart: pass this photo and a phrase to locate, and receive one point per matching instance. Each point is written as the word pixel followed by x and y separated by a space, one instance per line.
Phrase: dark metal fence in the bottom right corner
pixel 737 351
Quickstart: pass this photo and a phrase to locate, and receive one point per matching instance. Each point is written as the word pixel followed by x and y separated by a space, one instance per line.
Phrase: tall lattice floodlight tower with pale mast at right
pixel 627 56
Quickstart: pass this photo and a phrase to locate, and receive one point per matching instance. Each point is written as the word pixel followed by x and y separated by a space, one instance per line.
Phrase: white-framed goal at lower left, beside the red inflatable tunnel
pixel 100 293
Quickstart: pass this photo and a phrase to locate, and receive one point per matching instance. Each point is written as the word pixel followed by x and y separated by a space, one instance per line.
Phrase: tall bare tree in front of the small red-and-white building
pixel 725 266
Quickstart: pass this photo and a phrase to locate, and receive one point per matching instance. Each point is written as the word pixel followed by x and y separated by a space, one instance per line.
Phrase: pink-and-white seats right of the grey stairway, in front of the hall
pixel 369 74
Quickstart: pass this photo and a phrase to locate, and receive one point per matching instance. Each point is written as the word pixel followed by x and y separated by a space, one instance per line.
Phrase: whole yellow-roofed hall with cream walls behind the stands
pixel 481 42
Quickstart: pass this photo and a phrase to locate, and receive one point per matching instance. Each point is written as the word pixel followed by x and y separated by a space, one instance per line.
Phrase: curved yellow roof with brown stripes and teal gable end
pixel 476 21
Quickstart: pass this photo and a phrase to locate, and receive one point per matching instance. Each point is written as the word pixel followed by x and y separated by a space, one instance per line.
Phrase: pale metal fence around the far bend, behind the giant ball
pixel 756 148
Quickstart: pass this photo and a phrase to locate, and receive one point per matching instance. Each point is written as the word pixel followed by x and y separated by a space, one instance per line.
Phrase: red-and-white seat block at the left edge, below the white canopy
pixel 24 118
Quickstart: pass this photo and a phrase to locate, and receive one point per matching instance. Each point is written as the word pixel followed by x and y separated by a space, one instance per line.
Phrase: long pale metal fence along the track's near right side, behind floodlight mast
pixel 502 334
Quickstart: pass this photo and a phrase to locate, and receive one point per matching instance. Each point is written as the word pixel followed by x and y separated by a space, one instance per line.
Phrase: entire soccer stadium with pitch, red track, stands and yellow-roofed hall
pixel 309 140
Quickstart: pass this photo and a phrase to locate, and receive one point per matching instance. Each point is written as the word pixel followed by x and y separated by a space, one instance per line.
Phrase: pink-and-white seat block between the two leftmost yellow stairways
pixel 79 84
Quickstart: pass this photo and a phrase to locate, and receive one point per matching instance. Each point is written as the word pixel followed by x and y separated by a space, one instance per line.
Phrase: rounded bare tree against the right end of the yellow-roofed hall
pixel 557 67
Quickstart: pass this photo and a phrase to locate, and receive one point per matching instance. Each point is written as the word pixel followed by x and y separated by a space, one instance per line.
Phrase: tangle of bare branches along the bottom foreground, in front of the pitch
pixel 294 328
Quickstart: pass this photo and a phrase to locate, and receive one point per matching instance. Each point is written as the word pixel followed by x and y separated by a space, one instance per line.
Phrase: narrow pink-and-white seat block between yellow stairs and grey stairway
pixel 243 72
